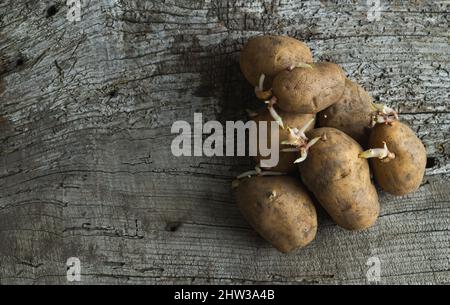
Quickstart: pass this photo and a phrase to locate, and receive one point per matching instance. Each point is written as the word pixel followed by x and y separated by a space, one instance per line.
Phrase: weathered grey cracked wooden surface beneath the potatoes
pixel 85 163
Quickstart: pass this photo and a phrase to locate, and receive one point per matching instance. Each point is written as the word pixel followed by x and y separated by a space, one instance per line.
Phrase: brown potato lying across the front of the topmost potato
pixel 306 90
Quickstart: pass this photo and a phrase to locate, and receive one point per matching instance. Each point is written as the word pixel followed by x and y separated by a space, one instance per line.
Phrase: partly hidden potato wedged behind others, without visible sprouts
pixel 350 114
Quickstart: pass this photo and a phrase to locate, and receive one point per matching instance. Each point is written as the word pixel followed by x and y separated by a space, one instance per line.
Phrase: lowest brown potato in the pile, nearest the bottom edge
pixel 279 209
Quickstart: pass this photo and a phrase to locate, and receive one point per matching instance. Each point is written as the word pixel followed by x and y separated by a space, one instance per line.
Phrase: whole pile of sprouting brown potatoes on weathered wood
pixel 332 157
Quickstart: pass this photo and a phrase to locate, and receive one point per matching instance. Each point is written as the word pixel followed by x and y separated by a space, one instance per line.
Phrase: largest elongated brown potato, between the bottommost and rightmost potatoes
pixel 340 180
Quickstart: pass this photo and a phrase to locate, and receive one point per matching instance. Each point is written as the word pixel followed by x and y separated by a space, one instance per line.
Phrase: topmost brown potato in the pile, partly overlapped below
pixel 269 55
